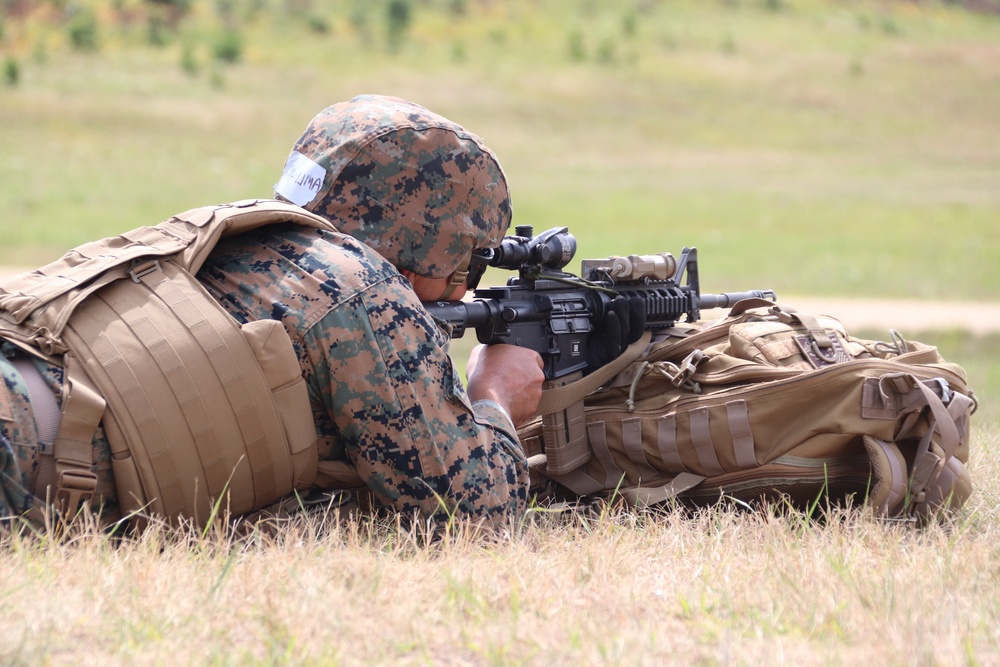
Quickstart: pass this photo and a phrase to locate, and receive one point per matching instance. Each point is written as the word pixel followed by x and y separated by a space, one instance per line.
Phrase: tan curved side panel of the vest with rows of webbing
pixel 190 402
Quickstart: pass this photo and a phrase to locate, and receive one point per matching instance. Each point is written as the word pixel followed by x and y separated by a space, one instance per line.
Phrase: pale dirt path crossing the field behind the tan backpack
pixel 909 317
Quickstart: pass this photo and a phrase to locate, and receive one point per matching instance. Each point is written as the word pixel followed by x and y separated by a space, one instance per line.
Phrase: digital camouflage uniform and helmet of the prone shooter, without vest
pixel 423 193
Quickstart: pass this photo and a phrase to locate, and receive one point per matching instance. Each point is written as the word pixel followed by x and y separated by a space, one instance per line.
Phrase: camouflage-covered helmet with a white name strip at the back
pixel 421 190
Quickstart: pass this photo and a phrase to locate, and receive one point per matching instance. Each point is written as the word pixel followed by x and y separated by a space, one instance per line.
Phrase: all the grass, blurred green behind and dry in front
pixel 817 148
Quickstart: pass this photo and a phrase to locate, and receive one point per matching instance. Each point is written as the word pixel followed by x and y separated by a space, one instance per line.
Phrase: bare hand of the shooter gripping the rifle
pixel 510 375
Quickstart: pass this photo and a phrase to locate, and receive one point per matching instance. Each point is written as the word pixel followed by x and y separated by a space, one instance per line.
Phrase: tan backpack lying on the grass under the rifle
pixel 768 404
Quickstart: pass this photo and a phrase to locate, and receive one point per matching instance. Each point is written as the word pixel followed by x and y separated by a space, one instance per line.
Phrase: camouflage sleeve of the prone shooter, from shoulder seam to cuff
pixel 383 375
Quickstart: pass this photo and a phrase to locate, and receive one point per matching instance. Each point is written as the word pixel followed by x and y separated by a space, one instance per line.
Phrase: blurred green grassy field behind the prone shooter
pixel 817 148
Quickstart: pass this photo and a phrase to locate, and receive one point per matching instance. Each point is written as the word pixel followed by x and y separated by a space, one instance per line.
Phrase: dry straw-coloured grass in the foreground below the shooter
pixel 720 587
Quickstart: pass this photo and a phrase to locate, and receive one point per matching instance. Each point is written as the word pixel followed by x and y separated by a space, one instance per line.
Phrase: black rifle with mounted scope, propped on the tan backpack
pixel 555 313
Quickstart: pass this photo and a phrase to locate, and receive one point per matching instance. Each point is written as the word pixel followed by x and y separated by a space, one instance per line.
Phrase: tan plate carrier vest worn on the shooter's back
pixel 197 409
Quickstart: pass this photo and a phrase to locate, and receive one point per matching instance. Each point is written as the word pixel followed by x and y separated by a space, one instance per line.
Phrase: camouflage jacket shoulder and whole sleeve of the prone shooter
pixel 386 397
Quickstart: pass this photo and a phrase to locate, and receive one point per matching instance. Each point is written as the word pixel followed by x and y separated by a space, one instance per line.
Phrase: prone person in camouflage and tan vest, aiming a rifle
pixel 399 199
